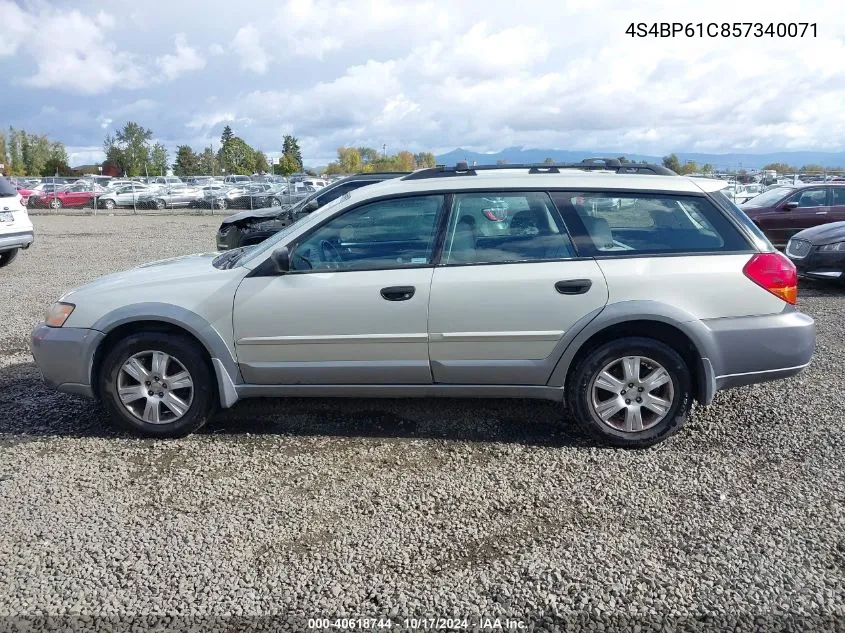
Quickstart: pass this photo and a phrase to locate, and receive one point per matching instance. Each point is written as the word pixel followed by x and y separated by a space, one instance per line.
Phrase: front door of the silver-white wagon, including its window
pixel 354 307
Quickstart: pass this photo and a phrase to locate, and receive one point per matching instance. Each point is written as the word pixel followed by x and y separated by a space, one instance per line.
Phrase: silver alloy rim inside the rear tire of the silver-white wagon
pixel 631 394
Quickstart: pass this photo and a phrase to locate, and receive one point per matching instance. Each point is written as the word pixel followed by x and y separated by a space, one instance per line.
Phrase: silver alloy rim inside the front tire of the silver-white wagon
pixel 155 387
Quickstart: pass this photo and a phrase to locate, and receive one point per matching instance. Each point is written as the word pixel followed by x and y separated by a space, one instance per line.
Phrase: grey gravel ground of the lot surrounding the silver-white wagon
pixel 369 508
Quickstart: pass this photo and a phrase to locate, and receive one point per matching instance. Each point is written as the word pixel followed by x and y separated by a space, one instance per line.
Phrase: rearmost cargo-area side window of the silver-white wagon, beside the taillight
pixel 613 224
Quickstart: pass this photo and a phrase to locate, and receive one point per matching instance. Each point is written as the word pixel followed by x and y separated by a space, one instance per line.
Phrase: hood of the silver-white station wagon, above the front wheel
pixel 153 274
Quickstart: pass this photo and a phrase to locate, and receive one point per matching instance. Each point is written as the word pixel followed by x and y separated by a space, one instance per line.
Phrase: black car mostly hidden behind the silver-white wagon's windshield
pixel 254 226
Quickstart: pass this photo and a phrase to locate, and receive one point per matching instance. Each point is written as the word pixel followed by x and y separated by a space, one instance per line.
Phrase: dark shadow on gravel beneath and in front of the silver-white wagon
pixel 30 409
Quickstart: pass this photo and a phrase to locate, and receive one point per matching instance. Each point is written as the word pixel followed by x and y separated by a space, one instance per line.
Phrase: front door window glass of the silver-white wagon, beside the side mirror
pixel 386 234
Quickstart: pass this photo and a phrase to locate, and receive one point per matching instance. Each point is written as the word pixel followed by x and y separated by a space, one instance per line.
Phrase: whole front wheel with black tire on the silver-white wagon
pixel 183 355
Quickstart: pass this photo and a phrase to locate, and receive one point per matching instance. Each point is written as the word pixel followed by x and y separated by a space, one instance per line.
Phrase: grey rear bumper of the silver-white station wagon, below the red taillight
pixel 756 349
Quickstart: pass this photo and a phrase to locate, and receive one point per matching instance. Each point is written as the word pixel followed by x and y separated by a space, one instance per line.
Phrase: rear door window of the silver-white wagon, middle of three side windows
pixel 486 228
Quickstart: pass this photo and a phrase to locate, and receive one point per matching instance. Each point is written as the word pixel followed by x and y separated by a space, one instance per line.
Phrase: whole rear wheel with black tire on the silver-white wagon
pixel 605 366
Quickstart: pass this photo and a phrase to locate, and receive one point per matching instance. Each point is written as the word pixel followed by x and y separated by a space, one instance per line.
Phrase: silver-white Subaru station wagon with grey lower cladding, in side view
pixel 464 282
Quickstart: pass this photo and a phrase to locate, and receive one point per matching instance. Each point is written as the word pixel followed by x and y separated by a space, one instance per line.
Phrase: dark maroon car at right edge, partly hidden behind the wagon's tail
pixel 784 211
